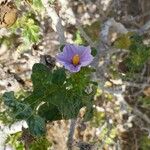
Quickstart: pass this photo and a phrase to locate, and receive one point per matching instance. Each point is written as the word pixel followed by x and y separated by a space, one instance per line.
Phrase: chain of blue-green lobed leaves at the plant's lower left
pixel 20 110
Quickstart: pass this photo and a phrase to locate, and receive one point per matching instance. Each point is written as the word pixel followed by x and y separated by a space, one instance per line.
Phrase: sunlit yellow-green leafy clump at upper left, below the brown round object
pixel 29 34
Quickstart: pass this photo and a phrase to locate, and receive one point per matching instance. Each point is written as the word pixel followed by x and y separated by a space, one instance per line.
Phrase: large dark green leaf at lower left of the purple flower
pixel 42 85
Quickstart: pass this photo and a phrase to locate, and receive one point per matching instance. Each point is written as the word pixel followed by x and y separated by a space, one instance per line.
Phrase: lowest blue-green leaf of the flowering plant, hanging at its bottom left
pixel 36 125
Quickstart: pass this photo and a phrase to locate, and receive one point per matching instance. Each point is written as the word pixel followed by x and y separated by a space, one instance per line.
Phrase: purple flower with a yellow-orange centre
pixel 74 57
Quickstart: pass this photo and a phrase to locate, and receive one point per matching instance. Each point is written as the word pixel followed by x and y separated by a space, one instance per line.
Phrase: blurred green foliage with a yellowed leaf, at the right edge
pixel 138 53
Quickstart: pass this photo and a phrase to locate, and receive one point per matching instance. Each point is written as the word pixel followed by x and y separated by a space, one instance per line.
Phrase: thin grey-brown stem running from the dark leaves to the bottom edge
pixel 71 133
